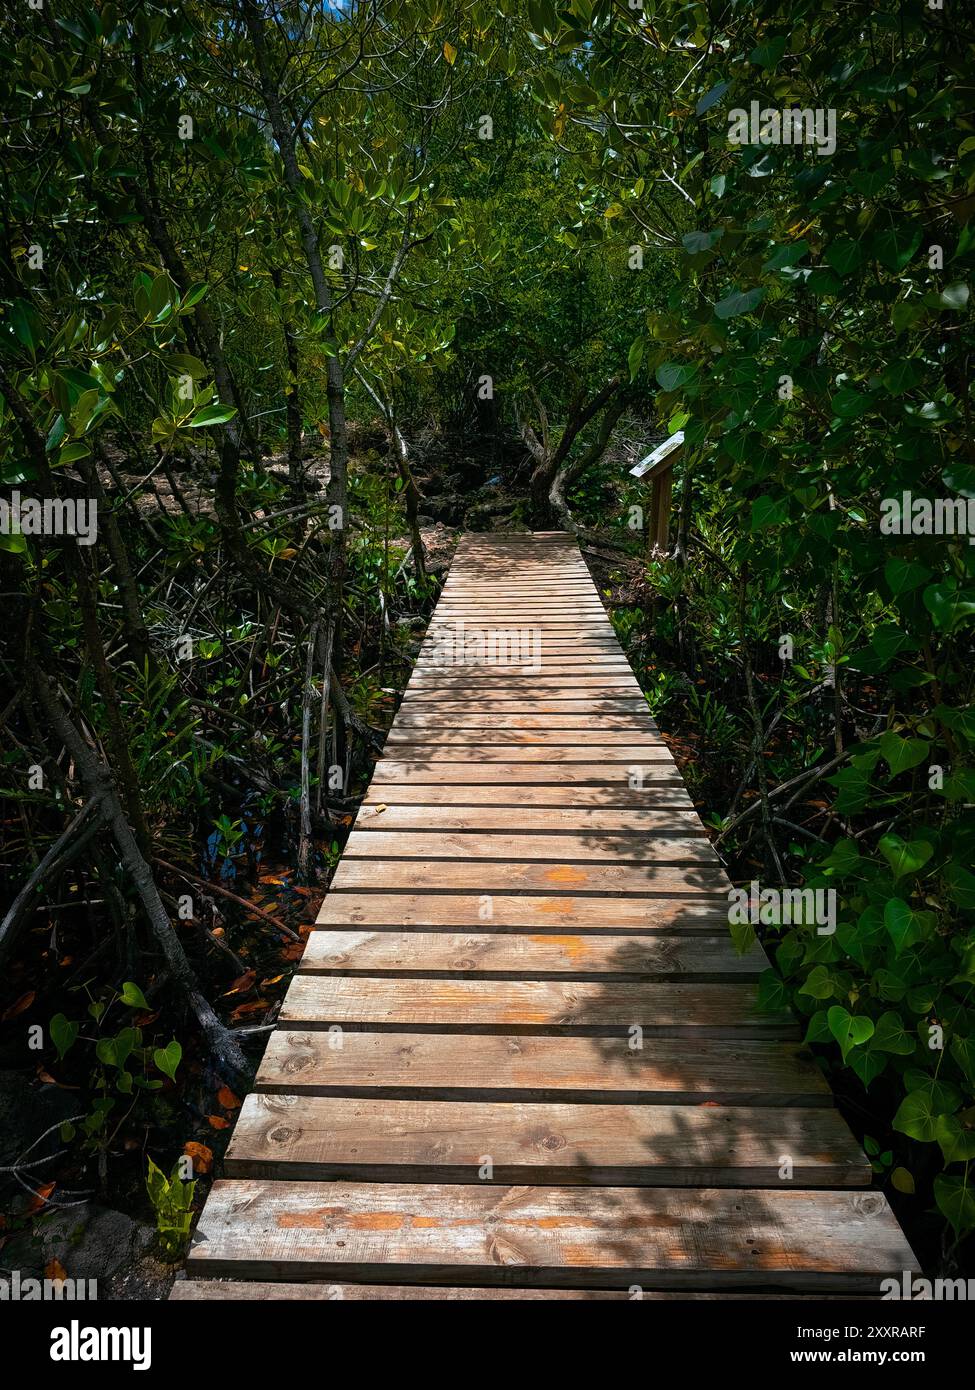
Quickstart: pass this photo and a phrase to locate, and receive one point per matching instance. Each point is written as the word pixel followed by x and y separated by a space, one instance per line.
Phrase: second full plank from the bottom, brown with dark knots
pixel 335 1139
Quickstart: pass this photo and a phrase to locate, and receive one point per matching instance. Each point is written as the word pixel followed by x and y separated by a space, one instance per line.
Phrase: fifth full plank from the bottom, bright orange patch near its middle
pixel 508 956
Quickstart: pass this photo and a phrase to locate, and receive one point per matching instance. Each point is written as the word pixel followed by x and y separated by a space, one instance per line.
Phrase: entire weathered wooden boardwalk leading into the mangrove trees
pixel 521 1053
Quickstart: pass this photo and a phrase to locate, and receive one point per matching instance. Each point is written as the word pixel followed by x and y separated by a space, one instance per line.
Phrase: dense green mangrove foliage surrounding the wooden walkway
pixel 250 248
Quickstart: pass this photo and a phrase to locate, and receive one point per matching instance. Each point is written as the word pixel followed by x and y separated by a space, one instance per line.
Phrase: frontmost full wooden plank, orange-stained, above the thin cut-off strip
pixel 802 1242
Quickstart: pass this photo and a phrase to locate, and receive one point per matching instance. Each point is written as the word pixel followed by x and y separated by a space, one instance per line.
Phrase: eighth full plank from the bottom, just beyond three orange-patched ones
pixel 551 849
